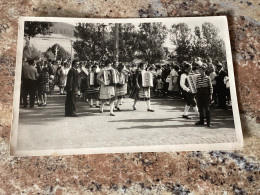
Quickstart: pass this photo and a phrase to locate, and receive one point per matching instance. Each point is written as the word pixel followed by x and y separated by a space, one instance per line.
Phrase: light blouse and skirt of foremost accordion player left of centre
pixel 106 92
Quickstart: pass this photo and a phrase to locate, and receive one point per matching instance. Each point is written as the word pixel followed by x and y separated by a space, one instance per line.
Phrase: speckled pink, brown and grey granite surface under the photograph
pixel 214 172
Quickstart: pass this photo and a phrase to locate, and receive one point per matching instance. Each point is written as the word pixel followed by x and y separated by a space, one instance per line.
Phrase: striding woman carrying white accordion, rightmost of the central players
pixel 139 92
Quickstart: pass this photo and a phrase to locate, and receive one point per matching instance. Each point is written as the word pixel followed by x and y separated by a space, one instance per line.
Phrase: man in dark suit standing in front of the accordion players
pixel 72 87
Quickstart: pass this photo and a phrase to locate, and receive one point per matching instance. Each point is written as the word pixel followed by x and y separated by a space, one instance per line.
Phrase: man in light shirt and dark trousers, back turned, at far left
pixel 29 80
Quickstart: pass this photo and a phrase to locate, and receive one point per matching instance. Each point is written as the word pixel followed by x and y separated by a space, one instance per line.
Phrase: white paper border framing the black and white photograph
pixel 14 151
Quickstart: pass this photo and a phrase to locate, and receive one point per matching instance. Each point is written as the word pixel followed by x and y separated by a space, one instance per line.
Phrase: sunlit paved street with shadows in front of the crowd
pixel 44 128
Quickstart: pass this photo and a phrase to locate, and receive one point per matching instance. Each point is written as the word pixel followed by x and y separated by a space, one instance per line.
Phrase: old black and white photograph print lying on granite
pixel 91 86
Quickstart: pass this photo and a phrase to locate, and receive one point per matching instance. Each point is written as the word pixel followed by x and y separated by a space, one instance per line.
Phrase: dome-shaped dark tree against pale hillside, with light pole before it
pixel 57 52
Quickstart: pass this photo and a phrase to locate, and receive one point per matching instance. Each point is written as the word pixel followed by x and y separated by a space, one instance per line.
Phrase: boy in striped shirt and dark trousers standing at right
pixel 204 95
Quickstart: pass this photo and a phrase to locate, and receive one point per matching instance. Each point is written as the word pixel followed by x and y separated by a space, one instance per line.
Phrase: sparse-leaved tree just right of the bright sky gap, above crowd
pixel 181 37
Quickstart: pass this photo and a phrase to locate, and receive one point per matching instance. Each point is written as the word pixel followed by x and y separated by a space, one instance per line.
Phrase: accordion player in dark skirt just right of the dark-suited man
pixel 93 88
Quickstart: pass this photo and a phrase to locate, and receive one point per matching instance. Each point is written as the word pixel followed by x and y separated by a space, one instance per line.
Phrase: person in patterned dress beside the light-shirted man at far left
pixel 44 86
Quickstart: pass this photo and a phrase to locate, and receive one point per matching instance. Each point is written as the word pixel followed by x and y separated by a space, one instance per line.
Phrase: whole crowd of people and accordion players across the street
pixel 86 79
